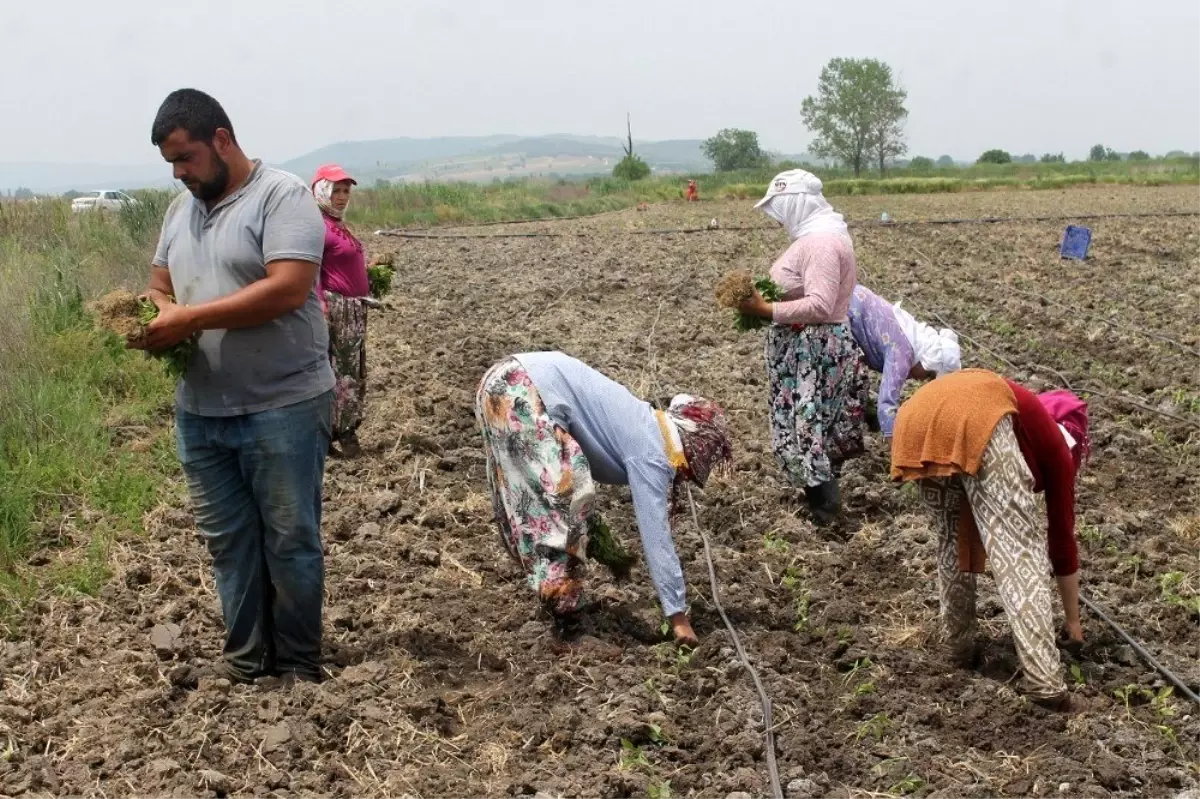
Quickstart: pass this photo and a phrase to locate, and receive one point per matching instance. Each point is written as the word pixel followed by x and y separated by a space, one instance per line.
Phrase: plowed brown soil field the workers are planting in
pixel 446 682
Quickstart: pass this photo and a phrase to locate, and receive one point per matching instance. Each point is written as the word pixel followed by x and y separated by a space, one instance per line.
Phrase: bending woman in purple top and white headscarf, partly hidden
pixel 899 347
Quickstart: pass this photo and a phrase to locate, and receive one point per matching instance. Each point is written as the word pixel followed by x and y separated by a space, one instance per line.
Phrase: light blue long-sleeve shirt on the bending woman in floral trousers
pixel 621 438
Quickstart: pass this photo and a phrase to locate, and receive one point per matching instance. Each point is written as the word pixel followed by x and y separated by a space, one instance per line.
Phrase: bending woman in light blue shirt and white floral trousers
pixel 553 429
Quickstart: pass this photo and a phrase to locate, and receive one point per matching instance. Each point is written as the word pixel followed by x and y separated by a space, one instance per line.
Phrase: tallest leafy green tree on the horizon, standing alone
pixel 857 115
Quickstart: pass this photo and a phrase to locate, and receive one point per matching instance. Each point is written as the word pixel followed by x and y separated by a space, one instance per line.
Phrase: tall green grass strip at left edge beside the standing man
pixel 68 485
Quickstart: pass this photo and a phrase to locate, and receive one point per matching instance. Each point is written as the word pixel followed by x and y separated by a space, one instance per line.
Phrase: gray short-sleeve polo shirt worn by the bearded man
pixel 212 255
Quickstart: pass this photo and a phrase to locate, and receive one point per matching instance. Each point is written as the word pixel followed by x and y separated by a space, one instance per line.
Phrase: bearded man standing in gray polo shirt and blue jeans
pixel 236 269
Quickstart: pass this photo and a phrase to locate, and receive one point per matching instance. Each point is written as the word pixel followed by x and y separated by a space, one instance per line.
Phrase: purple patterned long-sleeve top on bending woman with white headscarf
pixel 874 326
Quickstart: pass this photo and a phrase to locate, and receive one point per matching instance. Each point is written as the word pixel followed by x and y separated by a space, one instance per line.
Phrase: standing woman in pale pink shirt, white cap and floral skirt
pixel 819 382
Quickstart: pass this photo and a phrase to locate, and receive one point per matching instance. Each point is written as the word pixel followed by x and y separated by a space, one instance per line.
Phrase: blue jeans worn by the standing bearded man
pixel 256 488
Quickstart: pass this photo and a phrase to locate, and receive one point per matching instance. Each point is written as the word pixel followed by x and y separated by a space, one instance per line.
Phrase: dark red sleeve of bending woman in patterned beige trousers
pixel 1047 448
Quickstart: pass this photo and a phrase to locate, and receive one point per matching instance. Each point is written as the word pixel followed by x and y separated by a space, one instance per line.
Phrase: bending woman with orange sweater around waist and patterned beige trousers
pixel 981 447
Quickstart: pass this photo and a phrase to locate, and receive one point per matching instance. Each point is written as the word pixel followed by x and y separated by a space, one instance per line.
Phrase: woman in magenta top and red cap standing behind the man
pixel 344 290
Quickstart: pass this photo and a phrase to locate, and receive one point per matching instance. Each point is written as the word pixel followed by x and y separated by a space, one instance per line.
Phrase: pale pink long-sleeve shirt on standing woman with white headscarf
pixel 818 275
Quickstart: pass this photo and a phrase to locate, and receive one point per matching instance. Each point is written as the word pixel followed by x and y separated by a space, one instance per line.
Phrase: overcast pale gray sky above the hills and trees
pixel 82 80
